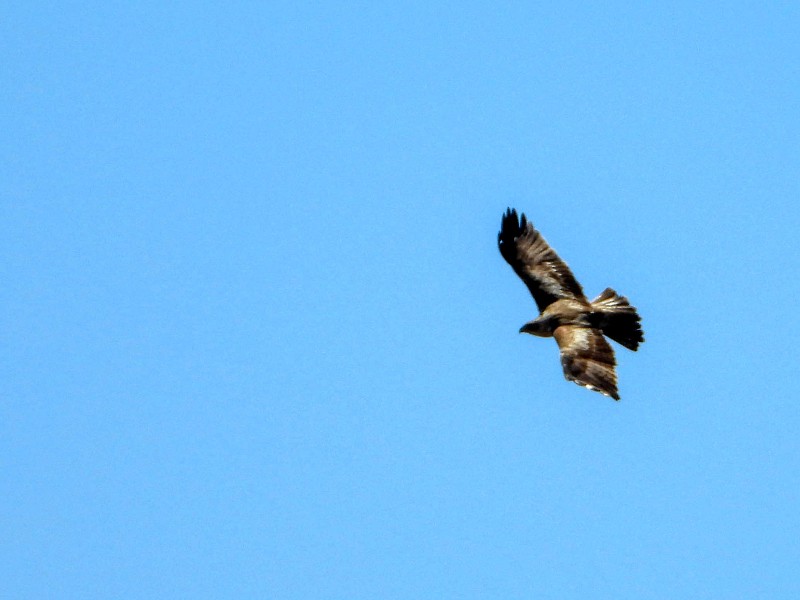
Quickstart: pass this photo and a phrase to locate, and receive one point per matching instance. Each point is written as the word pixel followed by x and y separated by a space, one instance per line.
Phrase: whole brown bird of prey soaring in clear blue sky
pixel 580 327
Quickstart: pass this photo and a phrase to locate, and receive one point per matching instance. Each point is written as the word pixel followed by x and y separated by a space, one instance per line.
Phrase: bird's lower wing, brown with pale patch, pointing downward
pixel 587 359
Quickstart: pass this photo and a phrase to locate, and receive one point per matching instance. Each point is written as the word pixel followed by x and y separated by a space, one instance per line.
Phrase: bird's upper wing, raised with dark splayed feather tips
pixel 547 276
